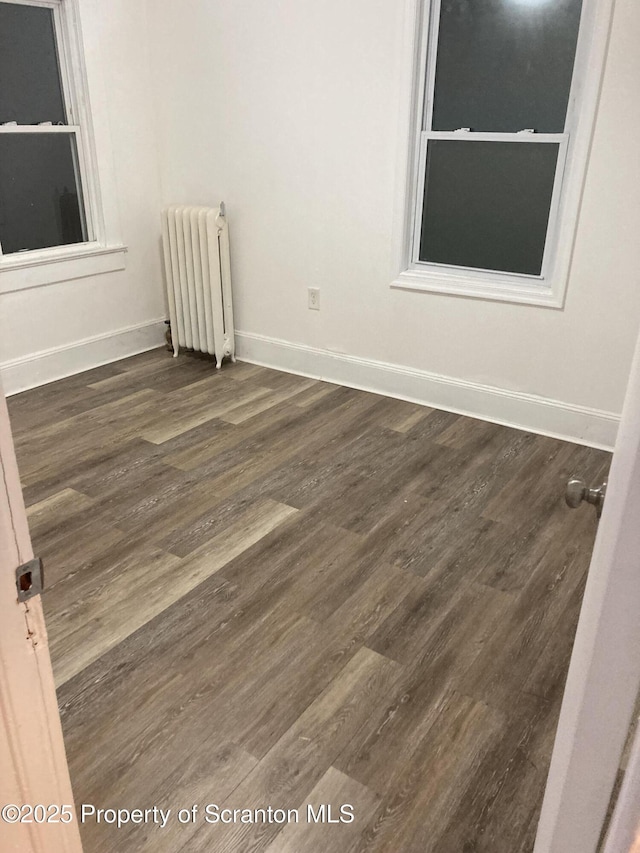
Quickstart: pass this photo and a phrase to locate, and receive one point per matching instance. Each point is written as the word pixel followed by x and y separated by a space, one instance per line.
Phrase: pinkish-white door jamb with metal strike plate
pixel 36 803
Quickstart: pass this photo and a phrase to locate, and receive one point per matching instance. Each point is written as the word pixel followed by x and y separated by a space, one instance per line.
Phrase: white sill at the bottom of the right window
pixel 478 288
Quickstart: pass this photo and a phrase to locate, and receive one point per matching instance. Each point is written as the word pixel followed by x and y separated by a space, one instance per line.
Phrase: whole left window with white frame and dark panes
pixel 49 208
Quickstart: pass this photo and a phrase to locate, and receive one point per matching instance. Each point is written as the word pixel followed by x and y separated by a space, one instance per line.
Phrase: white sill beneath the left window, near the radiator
pixel 38 269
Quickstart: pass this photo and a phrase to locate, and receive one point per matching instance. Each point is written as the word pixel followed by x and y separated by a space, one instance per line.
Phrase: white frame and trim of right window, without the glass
pixel 548 289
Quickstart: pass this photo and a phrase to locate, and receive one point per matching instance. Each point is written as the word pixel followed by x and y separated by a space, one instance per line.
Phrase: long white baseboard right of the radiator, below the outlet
pixel 566 421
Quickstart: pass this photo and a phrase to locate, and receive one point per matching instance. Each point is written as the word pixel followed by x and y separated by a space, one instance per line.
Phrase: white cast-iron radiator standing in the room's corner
pixel 198 272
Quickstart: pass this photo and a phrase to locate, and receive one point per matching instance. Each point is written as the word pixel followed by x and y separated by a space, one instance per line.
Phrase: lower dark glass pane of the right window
pixel 486 204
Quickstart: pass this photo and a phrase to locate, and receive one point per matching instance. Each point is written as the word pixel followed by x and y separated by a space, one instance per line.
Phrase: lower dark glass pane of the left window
pixel 40 195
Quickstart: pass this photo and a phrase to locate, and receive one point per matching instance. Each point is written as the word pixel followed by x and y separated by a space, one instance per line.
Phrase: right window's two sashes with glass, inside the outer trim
pixel 467 101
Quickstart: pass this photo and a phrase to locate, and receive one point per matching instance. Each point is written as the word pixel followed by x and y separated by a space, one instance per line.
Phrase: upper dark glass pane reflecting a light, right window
pixel 505 65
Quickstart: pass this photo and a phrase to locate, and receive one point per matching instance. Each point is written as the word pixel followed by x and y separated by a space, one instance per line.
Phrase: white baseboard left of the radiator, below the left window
pixel 48 365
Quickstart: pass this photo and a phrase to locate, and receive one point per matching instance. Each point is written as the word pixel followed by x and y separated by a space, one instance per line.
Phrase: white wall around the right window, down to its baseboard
pixel 290 112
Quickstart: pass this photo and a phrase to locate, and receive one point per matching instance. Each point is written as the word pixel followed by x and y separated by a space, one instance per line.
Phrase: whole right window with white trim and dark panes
pixel 493 186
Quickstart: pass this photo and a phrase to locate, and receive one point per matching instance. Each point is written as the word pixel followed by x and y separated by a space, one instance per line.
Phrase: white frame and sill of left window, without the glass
pixel 103 251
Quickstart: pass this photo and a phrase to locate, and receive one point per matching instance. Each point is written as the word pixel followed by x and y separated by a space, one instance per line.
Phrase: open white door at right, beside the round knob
pixel 604 675
